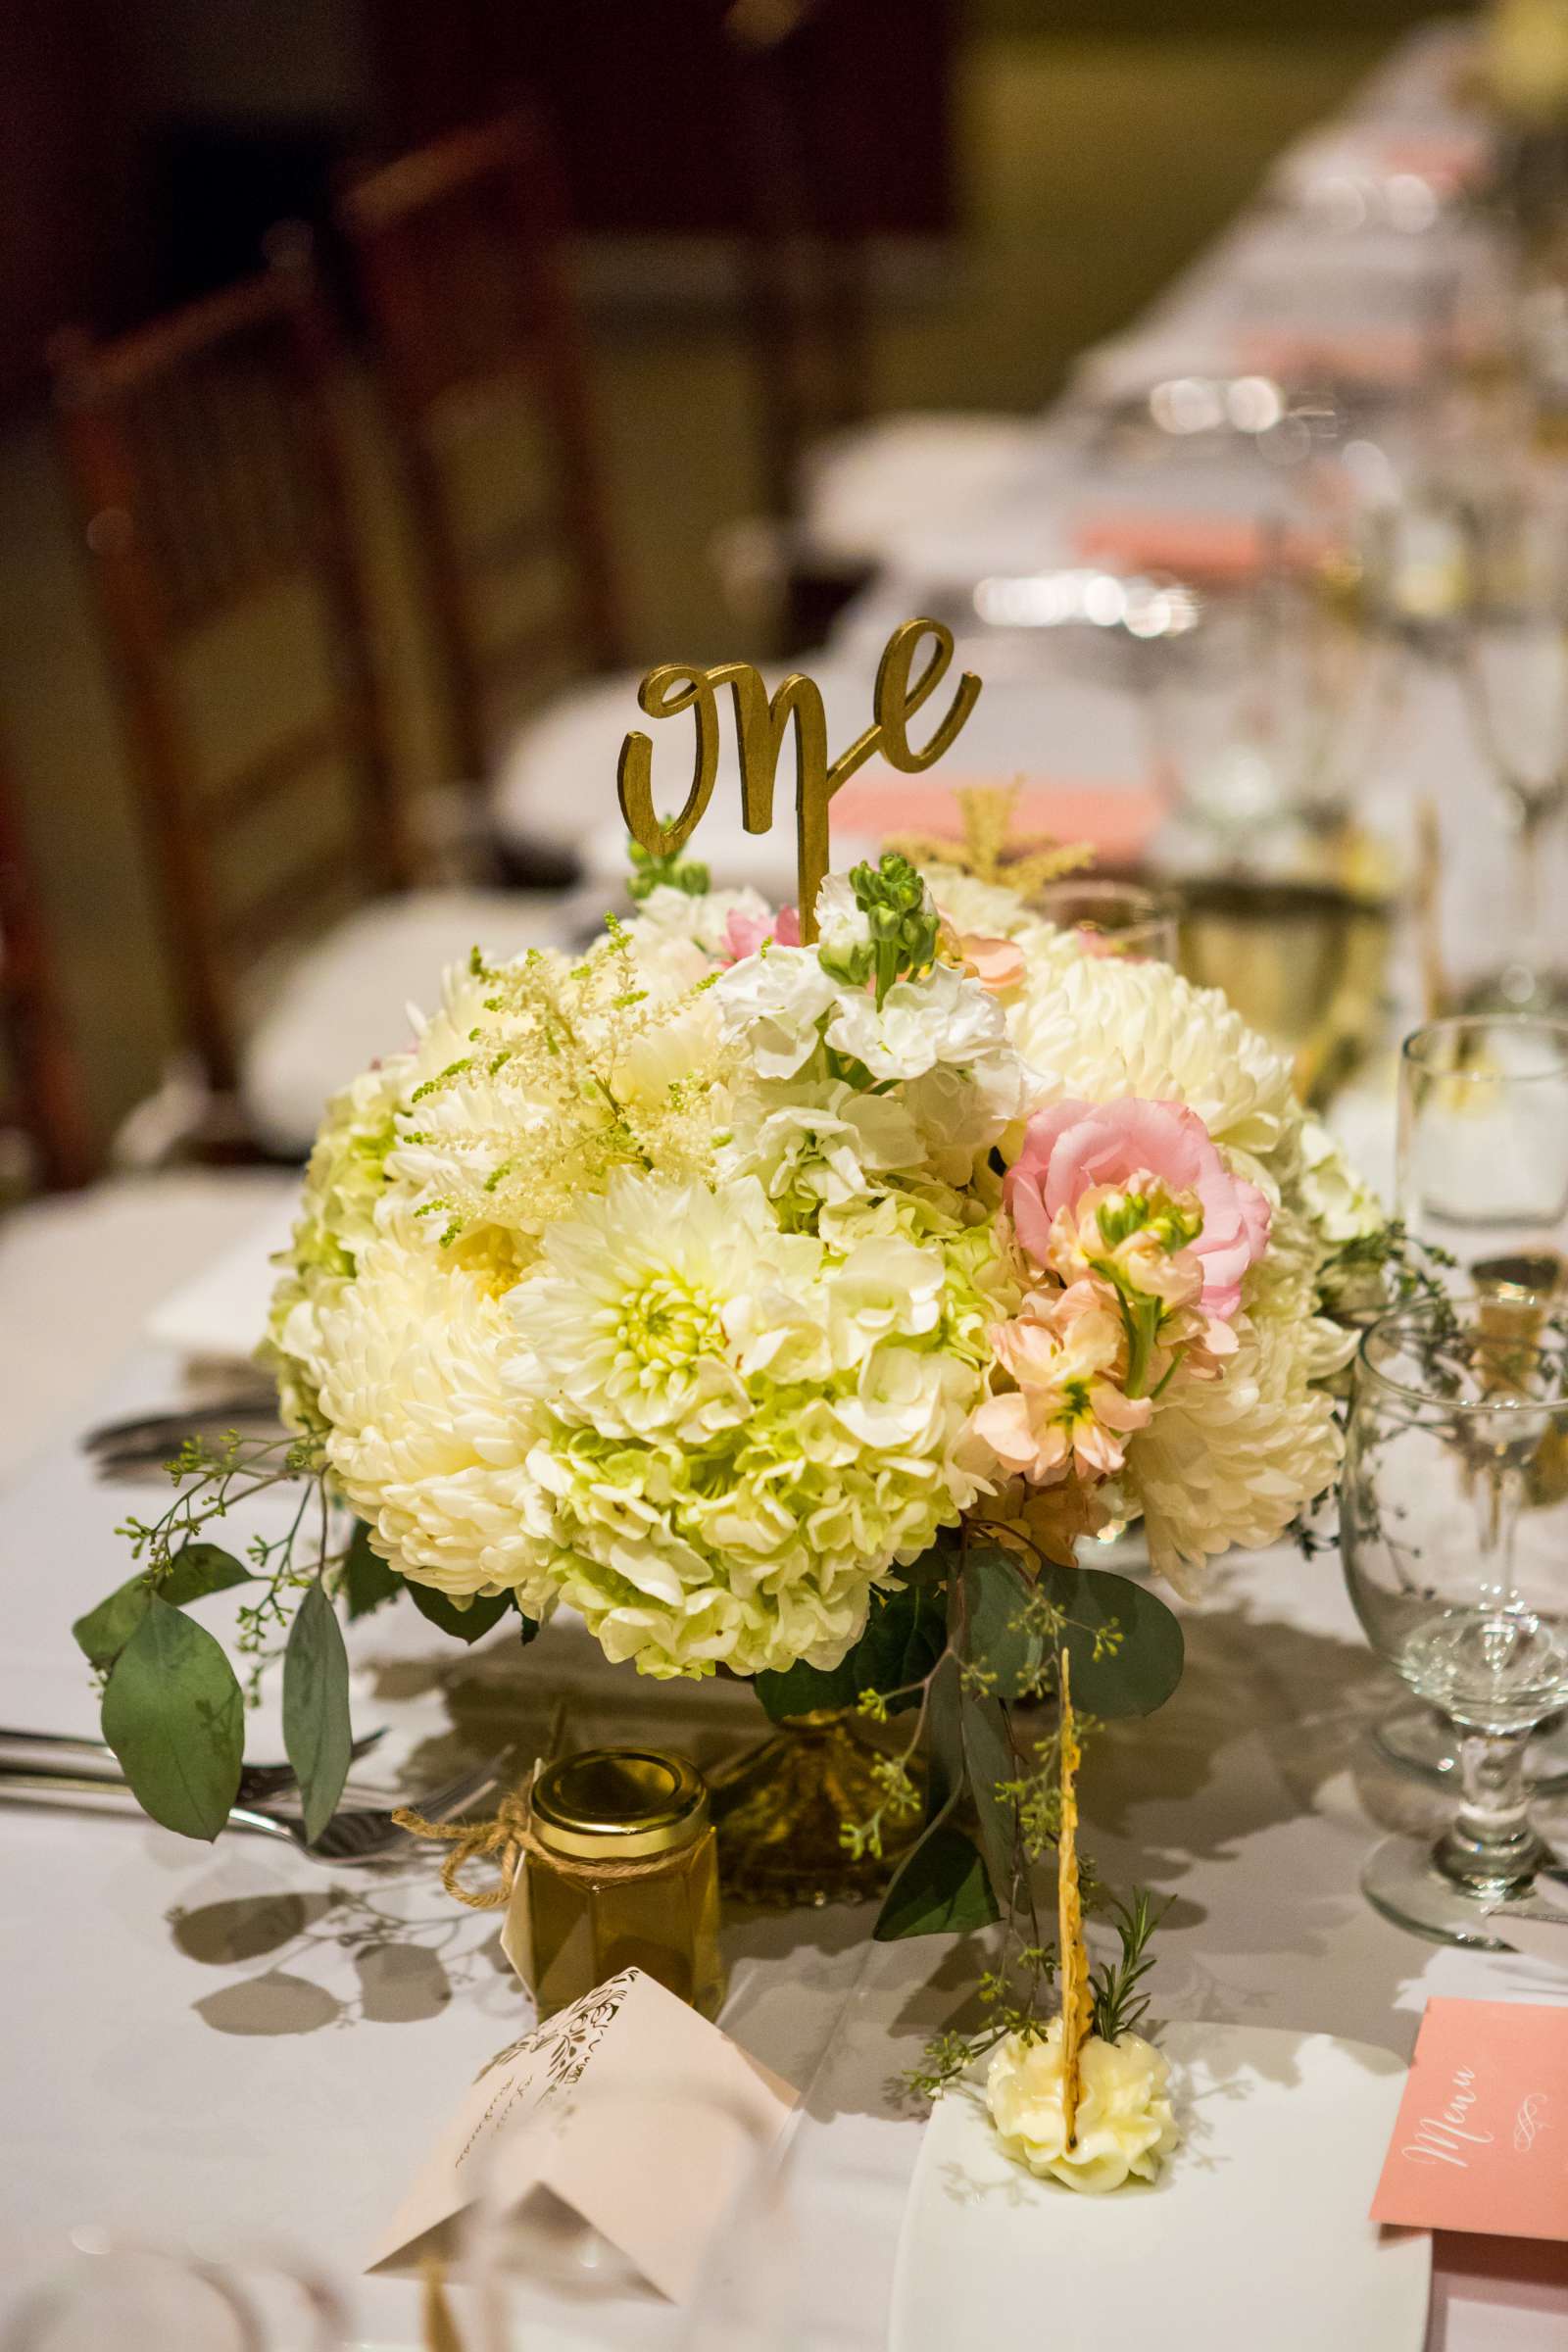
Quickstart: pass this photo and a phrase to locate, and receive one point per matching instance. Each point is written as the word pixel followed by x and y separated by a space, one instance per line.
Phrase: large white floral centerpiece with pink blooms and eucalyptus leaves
pixel 793 1311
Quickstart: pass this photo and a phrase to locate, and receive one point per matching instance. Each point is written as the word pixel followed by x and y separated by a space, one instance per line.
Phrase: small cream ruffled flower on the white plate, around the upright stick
pixel 1123 2130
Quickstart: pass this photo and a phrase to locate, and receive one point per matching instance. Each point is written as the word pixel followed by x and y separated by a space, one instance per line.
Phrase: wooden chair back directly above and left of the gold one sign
pixel 462 258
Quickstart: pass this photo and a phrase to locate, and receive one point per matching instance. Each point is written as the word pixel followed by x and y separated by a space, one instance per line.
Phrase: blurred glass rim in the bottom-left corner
pixel 152 2299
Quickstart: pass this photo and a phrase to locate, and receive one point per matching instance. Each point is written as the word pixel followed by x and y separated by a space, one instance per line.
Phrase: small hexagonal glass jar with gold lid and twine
pixel 622 1873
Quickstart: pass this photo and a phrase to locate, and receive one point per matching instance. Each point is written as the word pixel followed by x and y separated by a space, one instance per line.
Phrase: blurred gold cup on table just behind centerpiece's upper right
pixel 1304 963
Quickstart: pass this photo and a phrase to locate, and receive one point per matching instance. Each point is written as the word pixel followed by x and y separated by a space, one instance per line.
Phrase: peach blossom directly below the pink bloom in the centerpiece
pixel 1068 1410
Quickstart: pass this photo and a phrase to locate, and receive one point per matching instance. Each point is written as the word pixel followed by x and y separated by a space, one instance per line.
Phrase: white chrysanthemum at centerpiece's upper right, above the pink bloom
pixel 1101 1027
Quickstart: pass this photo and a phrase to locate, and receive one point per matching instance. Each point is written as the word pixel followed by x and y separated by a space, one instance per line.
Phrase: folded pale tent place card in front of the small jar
pixel 626 2106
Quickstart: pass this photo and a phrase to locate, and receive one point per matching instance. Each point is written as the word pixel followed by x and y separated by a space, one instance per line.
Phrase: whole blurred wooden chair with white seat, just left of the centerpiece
pixel 210 469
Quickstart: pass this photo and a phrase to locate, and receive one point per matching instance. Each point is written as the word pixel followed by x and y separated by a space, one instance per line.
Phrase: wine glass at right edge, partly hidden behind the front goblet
pixel 1482 1175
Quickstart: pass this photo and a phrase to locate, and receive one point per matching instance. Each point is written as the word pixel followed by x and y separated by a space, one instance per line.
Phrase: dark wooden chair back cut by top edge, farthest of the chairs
pixel 805 232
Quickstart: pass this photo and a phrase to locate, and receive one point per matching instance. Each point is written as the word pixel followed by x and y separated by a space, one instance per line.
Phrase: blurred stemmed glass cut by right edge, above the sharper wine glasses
pixel 1515 669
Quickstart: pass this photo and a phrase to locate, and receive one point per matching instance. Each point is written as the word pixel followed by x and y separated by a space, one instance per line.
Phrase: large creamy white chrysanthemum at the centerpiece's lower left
pixel 431 1422
